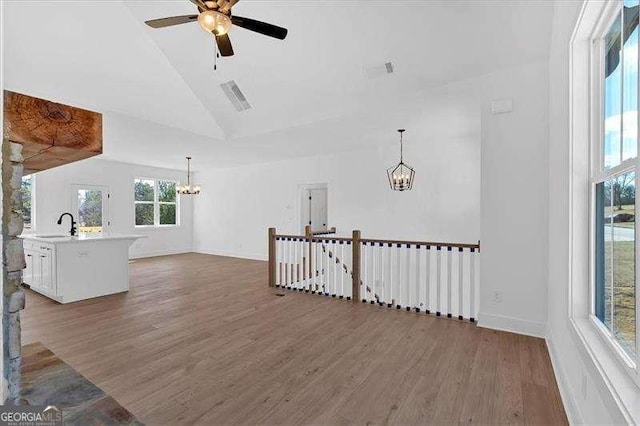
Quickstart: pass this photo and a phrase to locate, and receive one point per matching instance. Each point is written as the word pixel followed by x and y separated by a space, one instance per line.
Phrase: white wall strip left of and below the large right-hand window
pixel 586 395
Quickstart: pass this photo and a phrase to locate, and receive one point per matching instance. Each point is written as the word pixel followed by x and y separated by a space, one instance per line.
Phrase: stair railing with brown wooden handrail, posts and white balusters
pixel 301 271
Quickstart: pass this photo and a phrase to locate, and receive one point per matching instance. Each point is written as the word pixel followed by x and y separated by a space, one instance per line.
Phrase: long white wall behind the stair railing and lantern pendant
pixel 239 204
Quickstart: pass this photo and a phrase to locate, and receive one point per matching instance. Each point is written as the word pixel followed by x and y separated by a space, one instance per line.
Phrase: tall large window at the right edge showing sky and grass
pixel 614 180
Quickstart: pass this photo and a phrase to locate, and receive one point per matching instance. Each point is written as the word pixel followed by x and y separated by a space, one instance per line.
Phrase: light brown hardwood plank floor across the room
pixel 202 339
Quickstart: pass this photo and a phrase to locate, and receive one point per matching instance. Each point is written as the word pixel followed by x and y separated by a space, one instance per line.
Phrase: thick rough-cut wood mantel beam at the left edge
pixel 51 134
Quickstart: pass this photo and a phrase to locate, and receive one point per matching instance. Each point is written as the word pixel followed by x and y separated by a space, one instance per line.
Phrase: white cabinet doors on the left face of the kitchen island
pixel 40 271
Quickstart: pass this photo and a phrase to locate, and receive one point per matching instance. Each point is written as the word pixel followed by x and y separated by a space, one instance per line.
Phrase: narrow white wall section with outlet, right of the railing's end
pixel 514 201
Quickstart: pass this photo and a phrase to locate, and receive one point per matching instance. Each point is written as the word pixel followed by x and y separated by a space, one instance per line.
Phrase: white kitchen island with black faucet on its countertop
pixel 67 269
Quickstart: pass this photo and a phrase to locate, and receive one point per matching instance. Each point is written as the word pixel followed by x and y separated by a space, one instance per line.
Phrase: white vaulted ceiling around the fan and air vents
pixel 304 90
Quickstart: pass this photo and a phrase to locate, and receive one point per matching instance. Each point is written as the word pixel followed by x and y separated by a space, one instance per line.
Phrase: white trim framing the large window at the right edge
pixel 620 390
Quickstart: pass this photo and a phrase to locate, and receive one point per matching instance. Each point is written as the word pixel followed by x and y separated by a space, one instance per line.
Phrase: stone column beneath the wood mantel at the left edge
pixel 13 263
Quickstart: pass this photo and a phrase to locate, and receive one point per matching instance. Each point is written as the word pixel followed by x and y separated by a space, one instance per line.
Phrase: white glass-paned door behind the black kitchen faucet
pixel 90 208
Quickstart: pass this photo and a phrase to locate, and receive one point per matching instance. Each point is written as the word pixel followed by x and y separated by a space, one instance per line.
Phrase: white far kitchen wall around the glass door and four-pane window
pixel 54 196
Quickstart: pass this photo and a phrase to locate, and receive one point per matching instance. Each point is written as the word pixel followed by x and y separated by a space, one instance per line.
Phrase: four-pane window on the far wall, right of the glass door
pixel 156 203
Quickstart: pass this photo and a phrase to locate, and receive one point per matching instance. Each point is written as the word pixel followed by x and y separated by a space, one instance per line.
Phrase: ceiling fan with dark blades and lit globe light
pixel 215 18
